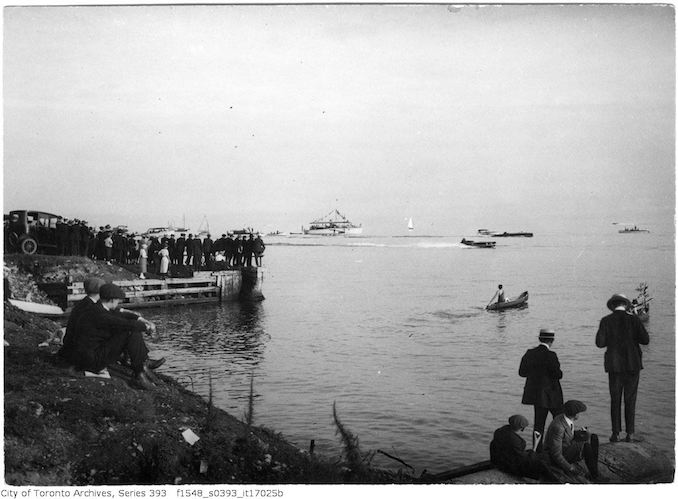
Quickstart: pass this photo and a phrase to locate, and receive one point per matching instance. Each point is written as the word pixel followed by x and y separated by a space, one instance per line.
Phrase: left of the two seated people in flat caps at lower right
pixel 508 451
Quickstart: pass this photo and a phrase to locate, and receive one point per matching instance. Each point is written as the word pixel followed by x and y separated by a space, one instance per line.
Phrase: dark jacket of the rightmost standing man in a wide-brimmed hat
pixel 622 334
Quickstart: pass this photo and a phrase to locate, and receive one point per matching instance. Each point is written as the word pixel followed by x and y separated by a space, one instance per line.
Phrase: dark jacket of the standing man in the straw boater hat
pixel 542 369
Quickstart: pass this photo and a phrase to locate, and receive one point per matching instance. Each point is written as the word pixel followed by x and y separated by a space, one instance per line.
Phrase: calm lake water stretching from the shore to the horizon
pixel 393 330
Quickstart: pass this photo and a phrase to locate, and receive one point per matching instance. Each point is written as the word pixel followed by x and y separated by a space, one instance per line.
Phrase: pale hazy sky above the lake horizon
pixel 512 117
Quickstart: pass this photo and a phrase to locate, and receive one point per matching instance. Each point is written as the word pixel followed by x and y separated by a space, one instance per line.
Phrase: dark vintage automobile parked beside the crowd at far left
pixel 29 231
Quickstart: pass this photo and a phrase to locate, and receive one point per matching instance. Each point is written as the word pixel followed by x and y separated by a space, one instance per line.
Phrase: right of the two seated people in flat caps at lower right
pixel 566 447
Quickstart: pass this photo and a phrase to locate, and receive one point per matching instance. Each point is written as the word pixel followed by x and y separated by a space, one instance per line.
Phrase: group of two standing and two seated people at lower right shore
pixel 563 447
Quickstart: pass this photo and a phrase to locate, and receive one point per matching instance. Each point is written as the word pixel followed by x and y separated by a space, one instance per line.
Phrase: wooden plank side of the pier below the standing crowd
pixel 203 287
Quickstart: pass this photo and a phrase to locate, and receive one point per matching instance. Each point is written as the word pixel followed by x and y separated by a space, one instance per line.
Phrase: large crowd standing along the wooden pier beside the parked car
pixel 158 254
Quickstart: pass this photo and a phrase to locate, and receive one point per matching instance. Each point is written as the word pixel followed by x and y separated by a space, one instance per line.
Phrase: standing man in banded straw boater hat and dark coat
pixel 541 367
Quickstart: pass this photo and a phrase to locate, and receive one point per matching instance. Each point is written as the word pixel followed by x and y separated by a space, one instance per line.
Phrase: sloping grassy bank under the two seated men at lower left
pixel 62 428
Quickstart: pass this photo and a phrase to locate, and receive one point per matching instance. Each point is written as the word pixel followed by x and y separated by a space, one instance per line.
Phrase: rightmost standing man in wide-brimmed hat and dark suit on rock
pixel 622 334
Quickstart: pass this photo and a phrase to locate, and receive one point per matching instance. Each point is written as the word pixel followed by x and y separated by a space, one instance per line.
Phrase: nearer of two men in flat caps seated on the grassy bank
pixel 104 333
